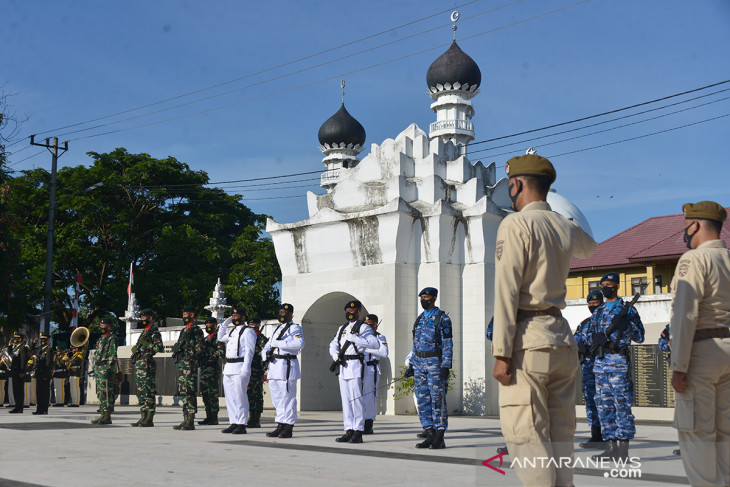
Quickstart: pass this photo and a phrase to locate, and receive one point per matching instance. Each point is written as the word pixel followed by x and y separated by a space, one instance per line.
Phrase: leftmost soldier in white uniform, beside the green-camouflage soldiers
pixel 240 342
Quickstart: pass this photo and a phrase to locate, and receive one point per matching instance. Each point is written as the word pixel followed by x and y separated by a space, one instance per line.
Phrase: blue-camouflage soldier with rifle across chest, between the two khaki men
pixel 612 368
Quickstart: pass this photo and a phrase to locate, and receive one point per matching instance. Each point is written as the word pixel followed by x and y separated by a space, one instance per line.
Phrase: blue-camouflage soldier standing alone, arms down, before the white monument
pixel 431 362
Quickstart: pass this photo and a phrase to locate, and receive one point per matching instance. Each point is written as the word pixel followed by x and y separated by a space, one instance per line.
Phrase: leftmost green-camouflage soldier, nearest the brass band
pixel 105 366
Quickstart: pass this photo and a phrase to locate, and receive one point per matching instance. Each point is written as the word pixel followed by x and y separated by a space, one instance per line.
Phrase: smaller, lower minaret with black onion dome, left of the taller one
pixel 341 139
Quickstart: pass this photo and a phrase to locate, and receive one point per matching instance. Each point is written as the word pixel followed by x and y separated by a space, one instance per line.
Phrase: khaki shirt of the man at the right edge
pixel 700 297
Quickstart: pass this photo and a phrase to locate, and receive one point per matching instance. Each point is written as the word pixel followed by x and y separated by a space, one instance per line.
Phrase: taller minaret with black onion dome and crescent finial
pixel 453 80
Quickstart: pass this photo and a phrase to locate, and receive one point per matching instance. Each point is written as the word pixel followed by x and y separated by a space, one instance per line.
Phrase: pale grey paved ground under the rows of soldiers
pixel 63 449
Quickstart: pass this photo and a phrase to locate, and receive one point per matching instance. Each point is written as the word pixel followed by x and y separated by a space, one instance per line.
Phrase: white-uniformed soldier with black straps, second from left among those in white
pixel 280 356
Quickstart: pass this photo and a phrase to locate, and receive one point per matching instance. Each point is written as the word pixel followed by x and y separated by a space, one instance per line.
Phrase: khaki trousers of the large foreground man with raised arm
pixel 537 414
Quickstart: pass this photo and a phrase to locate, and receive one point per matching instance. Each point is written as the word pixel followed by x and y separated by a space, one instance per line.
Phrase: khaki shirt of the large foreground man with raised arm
pixel 533 254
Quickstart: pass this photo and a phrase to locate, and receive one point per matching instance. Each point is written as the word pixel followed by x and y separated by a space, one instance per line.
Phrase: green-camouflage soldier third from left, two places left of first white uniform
pixel 186 353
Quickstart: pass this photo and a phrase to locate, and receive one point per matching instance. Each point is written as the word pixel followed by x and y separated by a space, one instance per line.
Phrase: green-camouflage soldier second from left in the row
pixel 145 368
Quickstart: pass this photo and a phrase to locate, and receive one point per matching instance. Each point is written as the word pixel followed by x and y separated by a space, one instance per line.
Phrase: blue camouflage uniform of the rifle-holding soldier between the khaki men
pixel 614 386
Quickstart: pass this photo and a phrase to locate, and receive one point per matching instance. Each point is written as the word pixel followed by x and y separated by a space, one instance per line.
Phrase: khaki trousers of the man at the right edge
pixel 702 414
